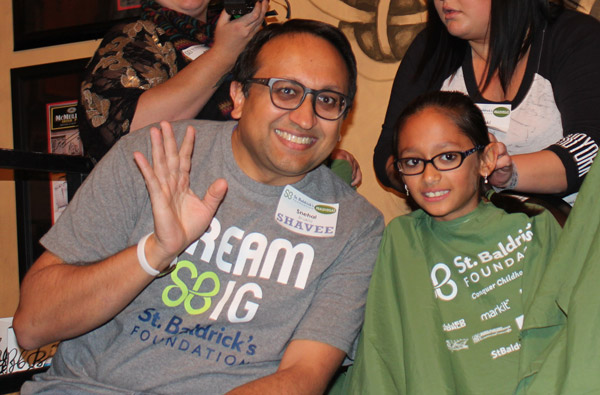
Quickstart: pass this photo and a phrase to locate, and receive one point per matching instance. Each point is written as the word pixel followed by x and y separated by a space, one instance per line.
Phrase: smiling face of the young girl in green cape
pixel 445 195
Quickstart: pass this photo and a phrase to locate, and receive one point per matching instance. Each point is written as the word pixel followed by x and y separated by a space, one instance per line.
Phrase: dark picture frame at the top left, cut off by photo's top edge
pixel 39 23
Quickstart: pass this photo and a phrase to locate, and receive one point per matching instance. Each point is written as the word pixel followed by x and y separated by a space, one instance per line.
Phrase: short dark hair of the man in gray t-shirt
pixel 245 66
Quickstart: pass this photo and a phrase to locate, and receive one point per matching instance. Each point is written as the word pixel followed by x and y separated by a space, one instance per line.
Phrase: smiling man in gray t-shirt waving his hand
pixel 258 287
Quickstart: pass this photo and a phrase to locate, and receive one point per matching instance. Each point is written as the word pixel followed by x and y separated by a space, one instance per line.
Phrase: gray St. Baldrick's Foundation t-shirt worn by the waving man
pixel 248 286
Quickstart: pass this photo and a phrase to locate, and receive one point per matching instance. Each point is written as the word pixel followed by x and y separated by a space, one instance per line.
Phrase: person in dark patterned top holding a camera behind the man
pixel 168 65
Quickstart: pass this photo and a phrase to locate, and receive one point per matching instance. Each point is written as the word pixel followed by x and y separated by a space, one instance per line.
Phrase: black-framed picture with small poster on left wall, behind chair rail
pixel 44 109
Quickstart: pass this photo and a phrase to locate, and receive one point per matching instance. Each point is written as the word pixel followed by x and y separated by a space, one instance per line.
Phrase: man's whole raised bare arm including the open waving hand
pixel 60 301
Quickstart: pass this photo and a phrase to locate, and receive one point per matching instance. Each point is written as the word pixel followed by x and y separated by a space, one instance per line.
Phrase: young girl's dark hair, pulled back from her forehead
pixel 470 121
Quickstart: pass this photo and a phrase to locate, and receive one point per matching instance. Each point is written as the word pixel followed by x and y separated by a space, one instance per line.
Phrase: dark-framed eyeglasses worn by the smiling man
pixel 289 95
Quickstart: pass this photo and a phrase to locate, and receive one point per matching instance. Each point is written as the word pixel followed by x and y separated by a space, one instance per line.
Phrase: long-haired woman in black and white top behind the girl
pixel 533 66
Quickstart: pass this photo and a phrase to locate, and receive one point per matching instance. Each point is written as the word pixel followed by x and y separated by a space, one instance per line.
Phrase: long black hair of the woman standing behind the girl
pixel 514 25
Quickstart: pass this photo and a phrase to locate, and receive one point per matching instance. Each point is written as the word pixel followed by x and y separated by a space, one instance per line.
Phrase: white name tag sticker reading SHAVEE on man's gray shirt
pixel 306 216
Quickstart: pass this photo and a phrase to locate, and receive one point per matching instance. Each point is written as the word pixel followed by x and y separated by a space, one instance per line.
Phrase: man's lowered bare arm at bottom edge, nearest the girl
pixel 307 367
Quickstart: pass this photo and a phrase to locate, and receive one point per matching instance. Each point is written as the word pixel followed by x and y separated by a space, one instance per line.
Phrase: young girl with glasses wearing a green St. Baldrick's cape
pixel 447 297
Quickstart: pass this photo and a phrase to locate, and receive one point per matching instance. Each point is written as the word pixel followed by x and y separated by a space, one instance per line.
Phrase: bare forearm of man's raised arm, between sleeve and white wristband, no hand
pixel 60 301
